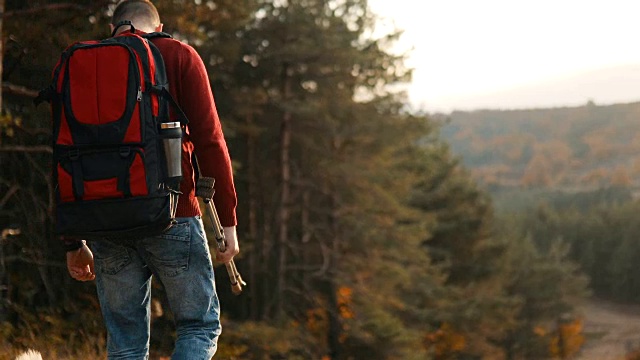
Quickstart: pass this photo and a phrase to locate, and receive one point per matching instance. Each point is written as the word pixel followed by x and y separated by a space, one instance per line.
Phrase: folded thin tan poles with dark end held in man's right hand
pixel 204 189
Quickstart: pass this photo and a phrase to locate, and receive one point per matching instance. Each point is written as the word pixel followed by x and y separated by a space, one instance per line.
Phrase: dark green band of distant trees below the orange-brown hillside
pixel 602 239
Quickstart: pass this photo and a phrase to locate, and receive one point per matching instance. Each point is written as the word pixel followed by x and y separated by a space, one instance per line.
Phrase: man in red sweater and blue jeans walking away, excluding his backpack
pixel 180 257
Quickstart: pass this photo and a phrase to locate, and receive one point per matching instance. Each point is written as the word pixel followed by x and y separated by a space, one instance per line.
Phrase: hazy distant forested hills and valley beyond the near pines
pixel 568 174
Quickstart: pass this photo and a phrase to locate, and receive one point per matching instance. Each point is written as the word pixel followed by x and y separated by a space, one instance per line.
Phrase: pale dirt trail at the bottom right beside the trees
pixel 611 330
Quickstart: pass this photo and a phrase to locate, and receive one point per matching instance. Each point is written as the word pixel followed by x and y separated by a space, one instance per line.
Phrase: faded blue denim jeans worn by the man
pixel 181 260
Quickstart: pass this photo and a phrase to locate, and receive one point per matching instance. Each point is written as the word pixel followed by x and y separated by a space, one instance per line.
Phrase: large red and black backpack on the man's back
pixel 110 106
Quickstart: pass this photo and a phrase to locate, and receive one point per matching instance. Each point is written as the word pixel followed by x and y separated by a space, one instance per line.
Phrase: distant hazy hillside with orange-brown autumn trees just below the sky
pixel 575 148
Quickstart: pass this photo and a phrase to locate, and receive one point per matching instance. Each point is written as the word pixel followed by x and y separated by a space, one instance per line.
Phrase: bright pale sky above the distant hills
pixel 470 54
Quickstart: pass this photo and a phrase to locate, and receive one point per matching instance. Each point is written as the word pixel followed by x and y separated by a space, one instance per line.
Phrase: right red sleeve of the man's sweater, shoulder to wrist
pixel 205 131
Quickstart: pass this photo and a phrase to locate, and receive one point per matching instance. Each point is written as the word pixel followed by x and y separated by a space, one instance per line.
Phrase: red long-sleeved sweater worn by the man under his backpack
pixel 190 87
